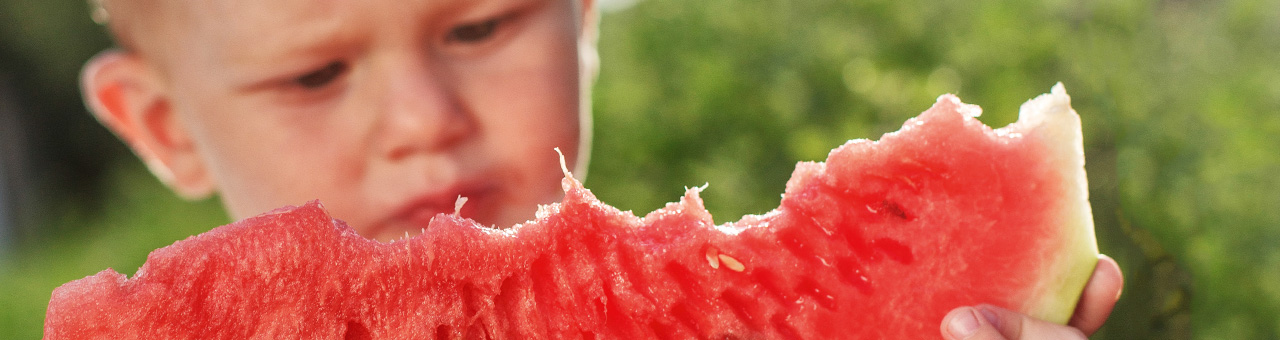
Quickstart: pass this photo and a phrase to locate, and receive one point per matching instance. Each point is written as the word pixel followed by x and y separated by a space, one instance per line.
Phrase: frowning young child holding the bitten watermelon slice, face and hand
pixel 385 111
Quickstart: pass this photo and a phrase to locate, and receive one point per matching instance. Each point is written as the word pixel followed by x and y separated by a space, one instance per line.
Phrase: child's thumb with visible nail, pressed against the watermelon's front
pixel 990 323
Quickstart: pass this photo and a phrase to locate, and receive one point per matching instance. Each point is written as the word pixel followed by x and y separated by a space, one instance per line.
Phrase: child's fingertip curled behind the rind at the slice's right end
pixel 1100 297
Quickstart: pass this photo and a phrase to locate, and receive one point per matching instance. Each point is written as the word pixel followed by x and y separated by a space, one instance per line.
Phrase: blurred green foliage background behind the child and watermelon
pixel 1181 103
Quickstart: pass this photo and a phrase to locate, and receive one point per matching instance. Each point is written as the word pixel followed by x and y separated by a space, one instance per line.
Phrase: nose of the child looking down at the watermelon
pixel 424 114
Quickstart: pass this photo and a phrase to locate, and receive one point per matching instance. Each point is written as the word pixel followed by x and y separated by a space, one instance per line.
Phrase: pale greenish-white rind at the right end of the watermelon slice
pixel 1054 120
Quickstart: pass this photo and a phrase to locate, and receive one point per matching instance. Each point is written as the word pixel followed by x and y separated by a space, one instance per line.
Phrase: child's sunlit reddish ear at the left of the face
pixel 130 99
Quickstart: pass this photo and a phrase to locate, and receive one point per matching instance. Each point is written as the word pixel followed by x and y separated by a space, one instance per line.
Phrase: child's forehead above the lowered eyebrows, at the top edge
pixel 246 39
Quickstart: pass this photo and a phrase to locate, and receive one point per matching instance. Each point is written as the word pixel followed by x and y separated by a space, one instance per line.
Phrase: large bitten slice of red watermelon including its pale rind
pixel 877 243
